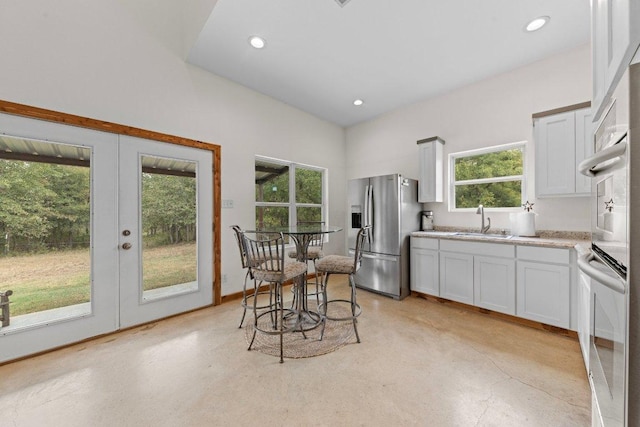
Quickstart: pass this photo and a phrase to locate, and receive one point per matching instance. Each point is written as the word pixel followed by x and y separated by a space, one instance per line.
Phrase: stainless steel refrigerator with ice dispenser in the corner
pixel 390 205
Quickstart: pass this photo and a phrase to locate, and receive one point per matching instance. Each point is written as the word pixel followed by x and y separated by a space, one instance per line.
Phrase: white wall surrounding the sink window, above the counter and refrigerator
pixel 490 112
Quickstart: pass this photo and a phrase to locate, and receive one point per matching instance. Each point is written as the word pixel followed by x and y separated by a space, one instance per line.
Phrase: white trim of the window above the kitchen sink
pixel 521 145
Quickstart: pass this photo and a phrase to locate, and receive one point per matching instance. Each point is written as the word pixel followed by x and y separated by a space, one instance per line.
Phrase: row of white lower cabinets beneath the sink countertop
pixel 531 282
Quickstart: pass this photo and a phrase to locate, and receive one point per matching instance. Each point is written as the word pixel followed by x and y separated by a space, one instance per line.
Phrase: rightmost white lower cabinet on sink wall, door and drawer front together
pixel 544 285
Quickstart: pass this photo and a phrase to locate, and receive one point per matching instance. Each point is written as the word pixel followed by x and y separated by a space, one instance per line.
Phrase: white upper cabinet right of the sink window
pixel 562 141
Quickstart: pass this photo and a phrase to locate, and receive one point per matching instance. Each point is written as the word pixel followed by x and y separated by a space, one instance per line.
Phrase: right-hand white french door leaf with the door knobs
pixel 155 283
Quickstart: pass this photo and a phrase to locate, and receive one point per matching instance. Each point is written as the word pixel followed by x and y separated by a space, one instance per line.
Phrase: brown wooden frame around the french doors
pixel 100 125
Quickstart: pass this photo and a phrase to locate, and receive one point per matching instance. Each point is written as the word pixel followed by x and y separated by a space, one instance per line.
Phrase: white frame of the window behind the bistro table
pixel 292 204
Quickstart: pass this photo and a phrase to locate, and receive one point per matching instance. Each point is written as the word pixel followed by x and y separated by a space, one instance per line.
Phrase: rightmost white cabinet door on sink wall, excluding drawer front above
pixel 543 292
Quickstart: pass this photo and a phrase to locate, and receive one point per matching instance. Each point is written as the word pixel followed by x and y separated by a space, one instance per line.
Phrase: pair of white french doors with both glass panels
pixel 98 232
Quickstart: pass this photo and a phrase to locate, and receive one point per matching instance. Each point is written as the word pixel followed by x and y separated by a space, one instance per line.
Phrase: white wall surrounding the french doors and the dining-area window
pixel 94 59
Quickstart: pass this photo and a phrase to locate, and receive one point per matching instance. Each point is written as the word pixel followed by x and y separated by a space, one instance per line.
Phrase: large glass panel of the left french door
pixel 45 231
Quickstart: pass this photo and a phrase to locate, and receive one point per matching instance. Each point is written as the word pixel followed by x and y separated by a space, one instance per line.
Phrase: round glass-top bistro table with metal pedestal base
pixel 302 235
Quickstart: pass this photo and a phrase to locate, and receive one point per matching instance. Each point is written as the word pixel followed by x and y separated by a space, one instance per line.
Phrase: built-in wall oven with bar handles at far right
pixel 606 267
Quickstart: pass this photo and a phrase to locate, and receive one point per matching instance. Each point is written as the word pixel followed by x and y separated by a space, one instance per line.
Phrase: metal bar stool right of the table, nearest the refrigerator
pixel 338 264
